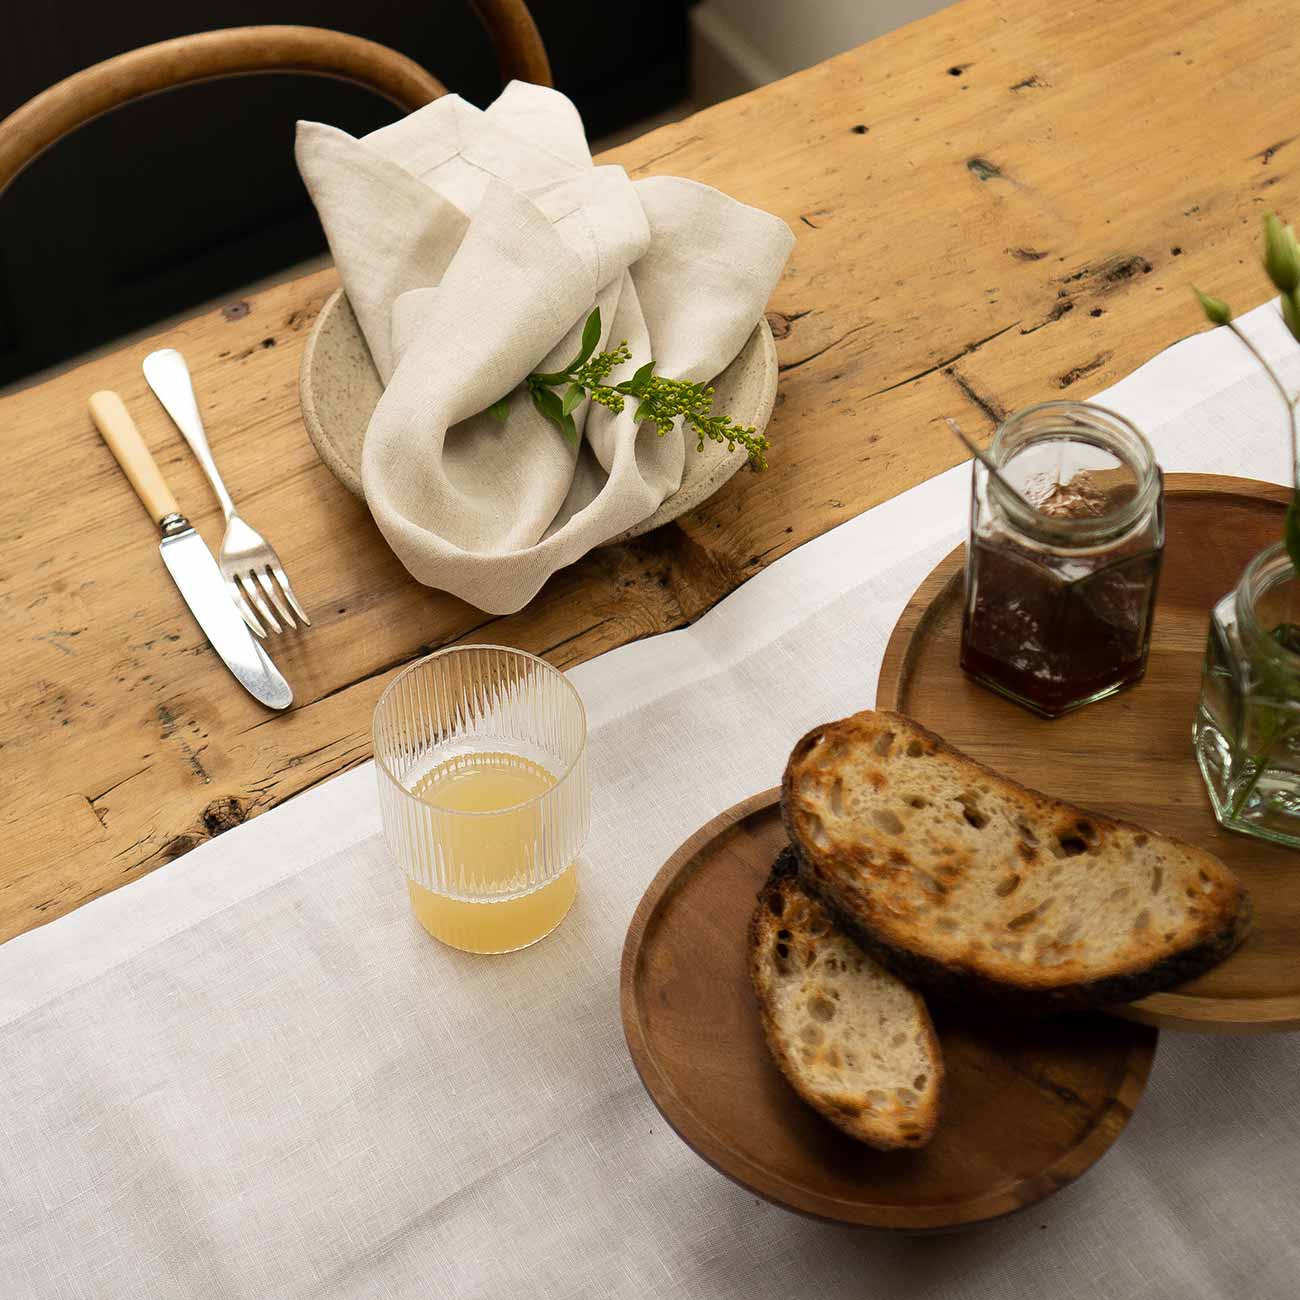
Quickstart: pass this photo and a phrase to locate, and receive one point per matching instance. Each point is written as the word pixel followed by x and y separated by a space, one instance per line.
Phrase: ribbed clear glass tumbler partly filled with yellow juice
pixel 482 762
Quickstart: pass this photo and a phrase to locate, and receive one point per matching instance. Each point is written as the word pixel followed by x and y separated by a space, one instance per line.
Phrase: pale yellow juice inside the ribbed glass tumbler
pixel 495 848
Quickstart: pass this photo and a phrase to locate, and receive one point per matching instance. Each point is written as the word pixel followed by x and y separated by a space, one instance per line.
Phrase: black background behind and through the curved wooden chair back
pixel 181 198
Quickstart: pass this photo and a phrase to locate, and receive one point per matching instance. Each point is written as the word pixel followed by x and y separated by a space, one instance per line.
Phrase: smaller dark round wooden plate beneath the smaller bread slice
pixel 1026 1110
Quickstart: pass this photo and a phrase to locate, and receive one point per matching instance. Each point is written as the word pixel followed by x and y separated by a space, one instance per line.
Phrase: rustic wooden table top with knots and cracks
pixel 1000 205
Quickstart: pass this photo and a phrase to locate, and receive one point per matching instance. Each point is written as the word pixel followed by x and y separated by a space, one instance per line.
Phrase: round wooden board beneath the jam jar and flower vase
pixel 1132 755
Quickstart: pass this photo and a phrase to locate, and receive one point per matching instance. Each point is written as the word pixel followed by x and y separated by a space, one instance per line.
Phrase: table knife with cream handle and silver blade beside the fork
pixel 188 558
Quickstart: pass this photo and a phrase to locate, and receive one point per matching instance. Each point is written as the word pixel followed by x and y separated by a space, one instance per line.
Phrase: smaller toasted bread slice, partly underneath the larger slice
pixel 853 1041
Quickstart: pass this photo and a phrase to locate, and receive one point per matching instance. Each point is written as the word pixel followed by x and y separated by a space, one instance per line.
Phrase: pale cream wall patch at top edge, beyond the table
pixel 765 40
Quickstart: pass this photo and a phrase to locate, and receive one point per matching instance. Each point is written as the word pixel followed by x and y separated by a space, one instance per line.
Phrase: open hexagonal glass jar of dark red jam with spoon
pixel 1061 573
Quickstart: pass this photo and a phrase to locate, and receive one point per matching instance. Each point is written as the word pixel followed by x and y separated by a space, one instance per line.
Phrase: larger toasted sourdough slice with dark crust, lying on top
pixel 969 883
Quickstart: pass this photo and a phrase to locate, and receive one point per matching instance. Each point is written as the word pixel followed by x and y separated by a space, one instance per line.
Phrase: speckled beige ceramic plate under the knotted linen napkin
pixel 340 388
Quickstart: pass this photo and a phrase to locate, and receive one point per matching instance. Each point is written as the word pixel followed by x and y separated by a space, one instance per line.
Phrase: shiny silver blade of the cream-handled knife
pixel 201 583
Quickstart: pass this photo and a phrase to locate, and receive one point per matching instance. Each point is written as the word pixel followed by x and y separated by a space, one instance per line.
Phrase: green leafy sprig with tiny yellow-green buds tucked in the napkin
pixel 660 401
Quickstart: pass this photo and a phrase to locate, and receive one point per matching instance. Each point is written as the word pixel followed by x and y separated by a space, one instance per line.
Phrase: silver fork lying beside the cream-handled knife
pixel 249 562
